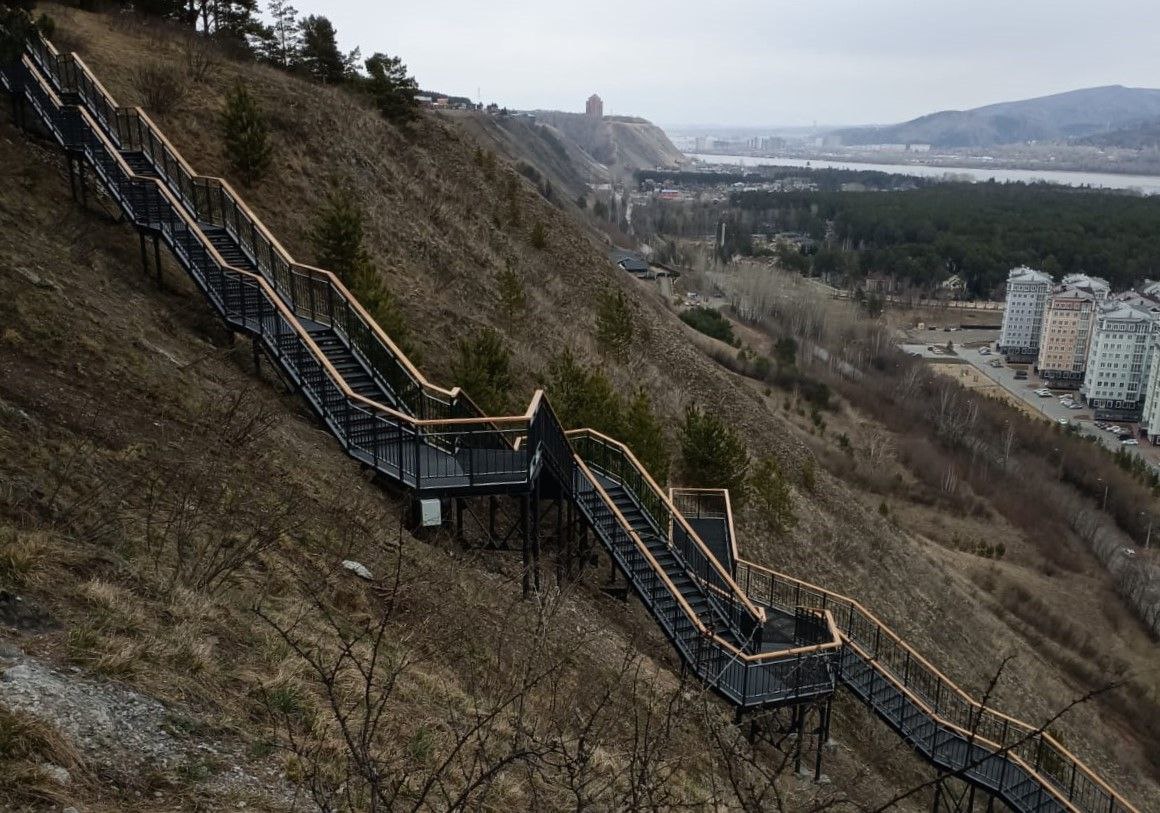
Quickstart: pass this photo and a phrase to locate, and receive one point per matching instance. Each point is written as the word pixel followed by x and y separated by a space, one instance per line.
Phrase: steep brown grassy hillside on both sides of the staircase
pixel 115 395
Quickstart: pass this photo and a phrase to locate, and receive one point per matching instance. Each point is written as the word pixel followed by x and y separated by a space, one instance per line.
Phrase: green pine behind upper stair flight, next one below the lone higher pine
pixel 338 239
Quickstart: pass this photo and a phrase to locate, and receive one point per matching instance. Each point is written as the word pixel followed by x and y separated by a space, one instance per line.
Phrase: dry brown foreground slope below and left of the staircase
pixel 140 451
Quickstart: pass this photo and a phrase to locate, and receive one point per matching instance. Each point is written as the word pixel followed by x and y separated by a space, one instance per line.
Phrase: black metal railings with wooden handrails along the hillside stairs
pixel 443 444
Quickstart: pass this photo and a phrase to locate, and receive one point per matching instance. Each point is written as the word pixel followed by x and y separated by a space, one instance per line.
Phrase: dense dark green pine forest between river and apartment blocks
pixel 976 230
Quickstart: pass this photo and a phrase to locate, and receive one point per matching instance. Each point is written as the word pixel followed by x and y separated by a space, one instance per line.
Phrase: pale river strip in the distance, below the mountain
pixel 1147 185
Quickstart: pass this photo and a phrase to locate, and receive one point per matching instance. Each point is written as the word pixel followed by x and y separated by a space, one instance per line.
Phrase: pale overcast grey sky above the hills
pixel 753 62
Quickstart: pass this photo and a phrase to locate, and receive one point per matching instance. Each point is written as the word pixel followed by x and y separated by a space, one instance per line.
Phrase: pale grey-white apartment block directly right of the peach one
pixel 1120 361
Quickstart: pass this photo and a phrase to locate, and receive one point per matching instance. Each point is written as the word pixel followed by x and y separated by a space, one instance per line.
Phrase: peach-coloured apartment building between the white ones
pixel 1067 336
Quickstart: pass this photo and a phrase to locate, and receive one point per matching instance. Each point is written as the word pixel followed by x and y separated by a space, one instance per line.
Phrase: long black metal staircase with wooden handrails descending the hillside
pixel 757 638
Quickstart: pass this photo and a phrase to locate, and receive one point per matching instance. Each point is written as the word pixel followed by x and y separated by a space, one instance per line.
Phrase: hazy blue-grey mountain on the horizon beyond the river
pixel 1087 114
